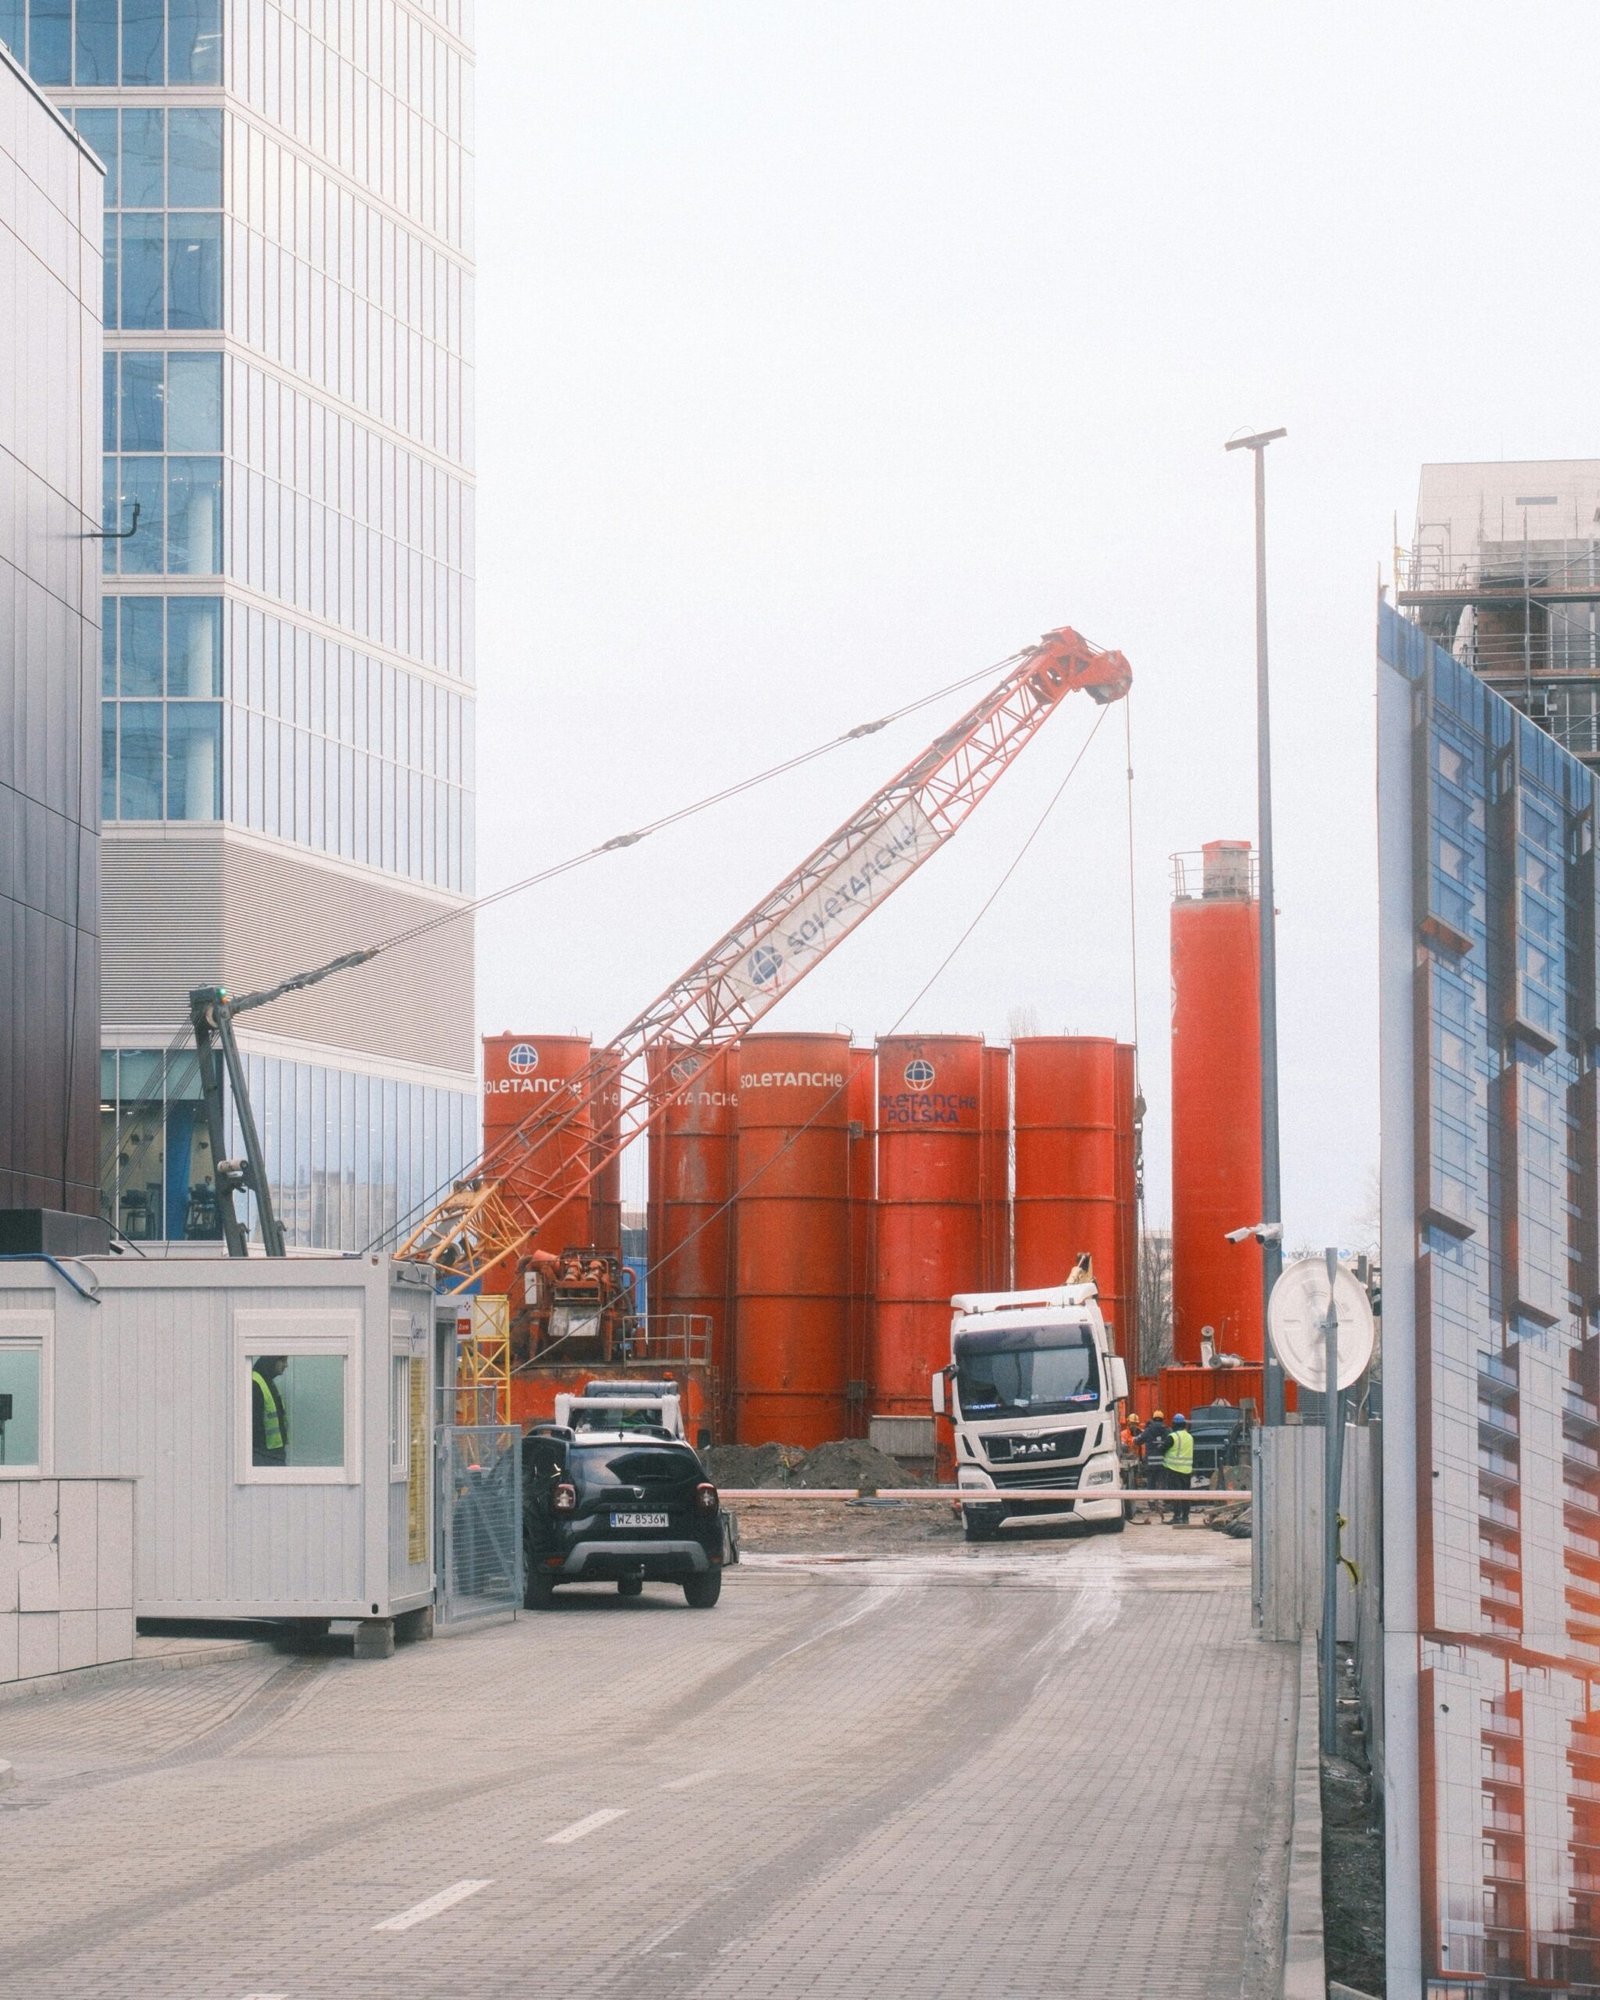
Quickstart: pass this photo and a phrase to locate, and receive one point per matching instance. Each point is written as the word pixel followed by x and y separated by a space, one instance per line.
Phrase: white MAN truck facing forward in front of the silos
pixel 1033 1391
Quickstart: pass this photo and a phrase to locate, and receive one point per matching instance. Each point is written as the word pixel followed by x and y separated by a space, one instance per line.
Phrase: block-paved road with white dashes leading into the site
pixel 1013 1773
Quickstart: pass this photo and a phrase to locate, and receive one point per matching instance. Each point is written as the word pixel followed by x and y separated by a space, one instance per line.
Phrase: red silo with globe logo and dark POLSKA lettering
pixel 931 1209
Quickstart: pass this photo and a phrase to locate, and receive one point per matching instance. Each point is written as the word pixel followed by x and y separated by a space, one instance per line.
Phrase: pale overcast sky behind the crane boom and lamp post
pixel 835 351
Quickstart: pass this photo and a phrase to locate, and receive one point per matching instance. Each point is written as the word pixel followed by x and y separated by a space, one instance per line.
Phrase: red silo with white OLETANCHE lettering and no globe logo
pixel 793 1239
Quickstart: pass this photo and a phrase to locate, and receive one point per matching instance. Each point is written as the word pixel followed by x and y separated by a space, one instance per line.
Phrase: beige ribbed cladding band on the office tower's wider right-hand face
pixel 413 1005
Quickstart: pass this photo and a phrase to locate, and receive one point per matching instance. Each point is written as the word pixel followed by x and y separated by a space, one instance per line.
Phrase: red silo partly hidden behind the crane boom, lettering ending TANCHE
pixel 691 1221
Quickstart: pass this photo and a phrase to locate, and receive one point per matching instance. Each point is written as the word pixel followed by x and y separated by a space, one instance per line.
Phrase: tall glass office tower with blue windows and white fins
pixel 287 679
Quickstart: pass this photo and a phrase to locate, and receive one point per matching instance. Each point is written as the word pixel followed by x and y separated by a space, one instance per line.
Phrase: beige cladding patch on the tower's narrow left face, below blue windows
pixel 161 927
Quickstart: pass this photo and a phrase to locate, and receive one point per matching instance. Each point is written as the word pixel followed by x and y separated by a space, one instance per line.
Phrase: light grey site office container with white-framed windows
pixel 153 1383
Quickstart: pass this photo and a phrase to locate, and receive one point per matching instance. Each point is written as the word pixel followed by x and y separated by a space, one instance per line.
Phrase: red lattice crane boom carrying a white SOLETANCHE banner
pixel 519 1187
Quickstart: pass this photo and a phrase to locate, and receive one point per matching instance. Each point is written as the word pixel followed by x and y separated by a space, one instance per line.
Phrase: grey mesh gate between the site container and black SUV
pixel 481 1521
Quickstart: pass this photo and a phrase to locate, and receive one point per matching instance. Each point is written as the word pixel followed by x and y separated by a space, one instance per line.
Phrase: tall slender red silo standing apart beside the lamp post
pixel 1217 1105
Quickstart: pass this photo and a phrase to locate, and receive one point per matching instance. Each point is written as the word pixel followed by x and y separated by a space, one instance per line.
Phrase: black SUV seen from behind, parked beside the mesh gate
pixel 625 1507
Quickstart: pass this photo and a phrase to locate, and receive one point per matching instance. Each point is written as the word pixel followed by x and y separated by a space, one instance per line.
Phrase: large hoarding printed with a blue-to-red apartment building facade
pixel 1491 1101
